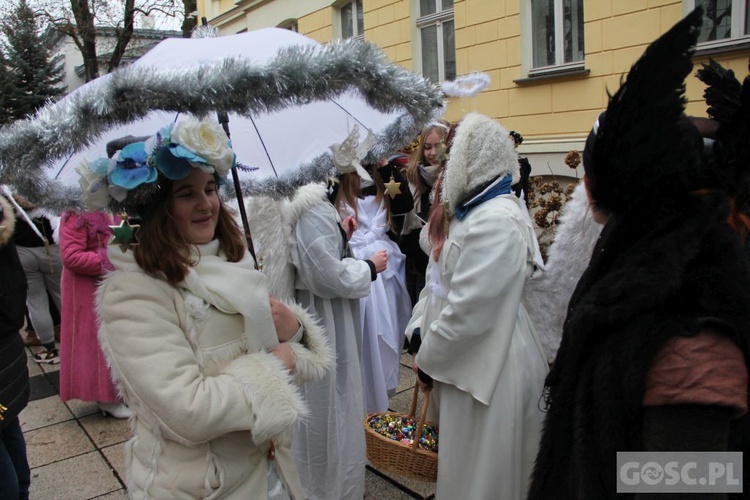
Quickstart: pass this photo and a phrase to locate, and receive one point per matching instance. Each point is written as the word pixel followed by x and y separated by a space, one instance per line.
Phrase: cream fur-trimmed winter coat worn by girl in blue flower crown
pixel 207 398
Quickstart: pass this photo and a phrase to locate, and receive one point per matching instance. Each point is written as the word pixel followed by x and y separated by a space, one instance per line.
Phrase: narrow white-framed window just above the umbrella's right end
pixel 437 30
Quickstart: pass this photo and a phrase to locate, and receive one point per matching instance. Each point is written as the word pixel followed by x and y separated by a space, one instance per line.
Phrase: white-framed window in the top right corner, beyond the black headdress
pixel 723 20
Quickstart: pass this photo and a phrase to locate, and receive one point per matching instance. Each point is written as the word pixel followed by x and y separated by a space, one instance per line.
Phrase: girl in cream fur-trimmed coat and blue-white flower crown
pixel 207 362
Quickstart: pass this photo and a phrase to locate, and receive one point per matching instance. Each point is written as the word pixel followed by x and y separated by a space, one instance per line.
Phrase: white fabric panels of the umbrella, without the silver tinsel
pixel 275 142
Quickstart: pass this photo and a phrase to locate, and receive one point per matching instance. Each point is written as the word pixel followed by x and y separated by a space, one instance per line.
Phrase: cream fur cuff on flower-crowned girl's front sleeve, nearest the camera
pixel 275 401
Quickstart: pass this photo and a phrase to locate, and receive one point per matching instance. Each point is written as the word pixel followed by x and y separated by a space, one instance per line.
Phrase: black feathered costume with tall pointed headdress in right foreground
pixel 667 264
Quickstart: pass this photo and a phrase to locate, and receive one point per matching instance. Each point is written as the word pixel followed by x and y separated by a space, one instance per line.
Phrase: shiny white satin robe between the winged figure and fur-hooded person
pixel 386 311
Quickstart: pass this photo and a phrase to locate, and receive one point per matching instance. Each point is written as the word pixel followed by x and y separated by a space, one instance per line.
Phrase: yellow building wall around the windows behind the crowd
pixel 553 114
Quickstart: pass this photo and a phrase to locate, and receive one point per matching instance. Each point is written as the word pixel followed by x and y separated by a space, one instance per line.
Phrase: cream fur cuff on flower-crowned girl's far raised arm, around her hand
pixel 315 356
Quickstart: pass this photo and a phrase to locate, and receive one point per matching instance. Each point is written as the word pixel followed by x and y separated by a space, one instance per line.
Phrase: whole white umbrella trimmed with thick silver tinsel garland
pixel 299 95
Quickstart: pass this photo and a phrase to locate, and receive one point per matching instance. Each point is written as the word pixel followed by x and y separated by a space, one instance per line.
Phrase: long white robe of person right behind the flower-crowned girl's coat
pixel 329 446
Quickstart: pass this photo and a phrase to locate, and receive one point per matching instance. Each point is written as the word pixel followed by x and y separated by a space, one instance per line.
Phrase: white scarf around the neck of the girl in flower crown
pixel 233 288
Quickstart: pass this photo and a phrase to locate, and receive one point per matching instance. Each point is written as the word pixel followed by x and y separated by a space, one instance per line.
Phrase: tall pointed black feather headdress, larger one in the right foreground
pixel 642 150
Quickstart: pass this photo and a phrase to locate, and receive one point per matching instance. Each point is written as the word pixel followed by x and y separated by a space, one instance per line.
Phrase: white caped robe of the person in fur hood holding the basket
pixel 481 349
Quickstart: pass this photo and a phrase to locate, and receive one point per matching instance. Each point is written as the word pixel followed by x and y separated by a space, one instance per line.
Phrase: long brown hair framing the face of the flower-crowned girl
pixel 163 251
